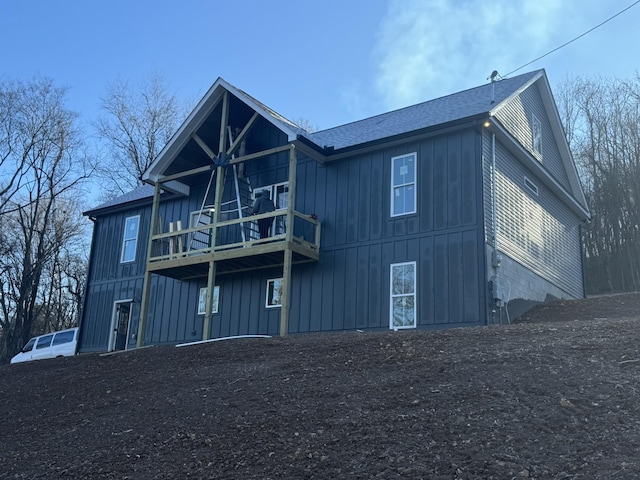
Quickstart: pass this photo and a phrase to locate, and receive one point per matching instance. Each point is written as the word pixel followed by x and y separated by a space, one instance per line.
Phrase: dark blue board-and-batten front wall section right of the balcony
pixel 349 287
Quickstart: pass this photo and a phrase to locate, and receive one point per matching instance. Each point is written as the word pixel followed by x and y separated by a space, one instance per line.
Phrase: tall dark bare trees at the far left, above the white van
pixel 40 221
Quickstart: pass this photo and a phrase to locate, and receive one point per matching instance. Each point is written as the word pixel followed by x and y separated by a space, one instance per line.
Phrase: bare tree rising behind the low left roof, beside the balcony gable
pixel 138 124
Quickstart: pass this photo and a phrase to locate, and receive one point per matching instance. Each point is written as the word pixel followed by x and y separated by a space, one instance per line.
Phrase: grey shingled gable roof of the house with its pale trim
pixel 465 106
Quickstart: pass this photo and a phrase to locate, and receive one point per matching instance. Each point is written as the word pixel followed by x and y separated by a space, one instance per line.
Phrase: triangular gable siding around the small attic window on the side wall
pixel 517 118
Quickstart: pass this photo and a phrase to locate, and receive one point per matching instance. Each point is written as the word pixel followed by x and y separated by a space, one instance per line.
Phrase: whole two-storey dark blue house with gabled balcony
pixel 454 212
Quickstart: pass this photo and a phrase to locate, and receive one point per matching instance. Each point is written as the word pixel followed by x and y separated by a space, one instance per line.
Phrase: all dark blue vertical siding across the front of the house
pixel 349 287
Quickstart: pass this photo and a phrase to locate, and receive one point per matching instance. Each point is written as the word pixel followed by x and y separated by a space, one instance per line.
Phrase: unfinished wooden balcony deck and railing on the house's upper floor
pixel 186 254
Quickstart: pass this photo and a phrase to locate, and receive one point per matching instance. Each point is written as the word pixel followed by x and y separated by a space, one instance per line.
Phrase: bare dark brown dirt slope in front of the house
pixel 553 396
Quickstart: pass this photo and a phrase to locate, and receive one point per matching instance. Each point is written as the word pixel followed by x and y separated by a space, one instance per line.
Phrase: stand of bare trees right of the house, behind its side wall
pixel 602 121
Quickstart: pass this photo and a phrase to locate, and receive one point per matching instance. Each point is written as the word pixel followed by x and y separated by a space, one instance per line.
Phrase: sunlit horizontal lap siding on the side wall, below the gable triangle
pixel 537 231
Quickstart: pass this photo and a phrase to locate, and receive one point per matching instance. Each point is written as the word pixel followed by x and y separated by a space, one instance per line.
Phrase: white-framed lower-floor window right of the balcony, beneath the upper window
pixel 403 296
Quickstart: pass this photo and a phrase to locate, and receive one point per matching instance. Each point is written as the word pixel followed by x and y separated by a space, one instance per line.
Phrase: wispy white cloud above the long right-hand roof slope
pixel 429 48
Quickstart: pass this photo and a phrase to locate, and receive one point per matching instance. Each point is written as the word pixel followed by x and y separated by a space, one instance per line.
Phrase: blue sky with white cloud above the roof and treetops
pixel 329 62
